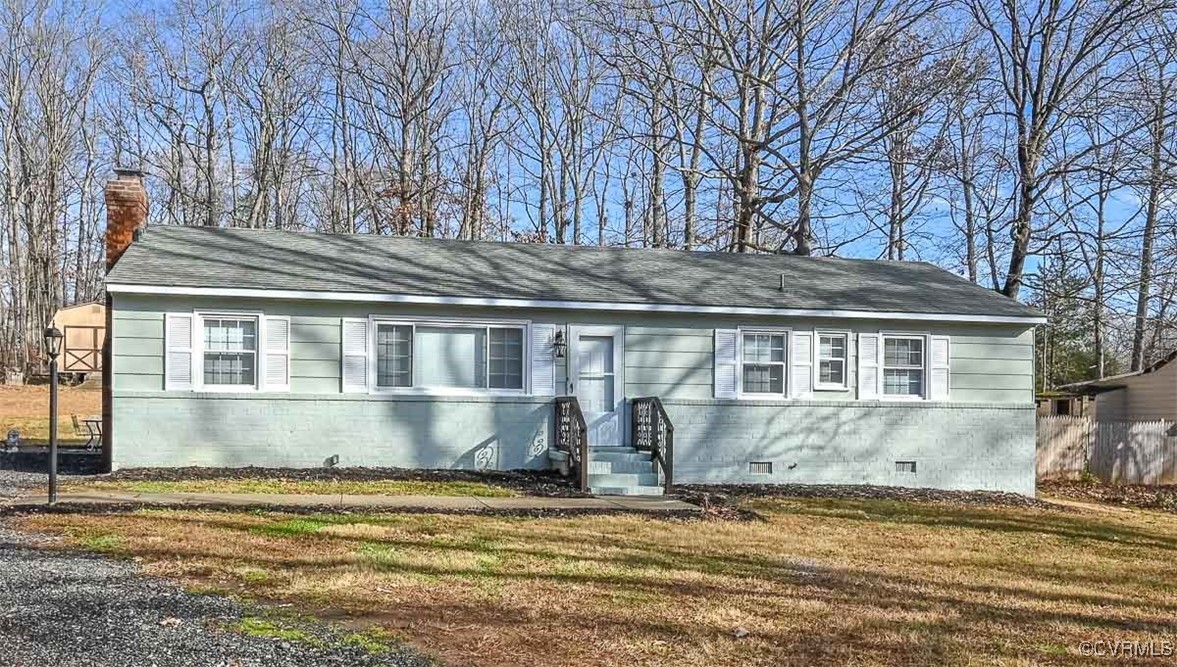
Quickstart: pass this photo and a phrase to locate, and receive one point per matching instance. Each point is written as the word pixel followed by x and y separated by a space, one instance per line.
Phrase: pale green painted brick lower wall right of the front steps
pixel 956 446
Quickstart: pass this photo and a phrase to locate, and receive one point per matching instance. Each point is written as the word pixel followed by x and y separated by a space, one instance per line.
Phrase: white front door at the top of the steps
pixel 595 373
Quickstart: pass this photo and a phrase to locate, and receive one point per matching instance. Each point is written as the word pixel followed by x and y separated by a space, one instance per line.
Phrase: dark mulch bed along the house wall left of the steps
pixel 546 484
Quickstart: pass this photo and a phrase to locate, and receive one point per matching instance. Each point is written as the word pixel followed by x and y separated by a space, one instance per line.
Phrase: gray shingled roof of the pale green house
pixel 262 259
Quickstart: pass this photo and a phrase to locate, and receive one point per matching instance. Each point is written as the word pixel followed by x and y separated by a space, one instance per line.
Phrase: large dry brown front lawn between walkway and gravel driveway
pixel 819 583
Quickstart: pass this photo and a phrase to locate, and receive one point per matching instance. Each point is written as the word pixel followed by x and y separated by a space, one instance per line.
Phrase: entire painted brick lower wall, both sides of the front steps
pixel 957 446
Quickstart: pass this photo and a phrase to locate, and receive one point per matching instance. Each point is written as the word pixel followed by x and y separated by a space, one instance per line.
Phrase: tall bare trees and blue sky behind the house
pixel 1016 142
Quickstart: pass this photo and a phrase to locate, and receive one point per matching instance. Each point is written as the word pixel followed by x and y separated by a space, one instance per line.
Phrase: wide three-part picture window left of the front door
pixel 450 357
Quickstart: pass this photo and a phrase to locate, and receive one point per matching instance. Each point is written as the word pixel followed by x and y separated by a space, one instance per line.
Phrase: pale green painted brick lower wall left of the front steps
pixel 303 431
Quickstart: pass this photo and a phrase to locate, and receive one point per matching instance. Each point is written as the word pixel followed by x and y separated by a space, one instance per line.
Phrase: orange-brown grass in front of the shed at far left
pixel 28 410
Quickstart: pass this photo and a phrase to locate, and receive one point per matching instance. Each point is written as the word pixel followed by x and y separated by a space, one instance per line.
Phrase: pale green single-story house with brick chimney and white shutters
pixel 250 348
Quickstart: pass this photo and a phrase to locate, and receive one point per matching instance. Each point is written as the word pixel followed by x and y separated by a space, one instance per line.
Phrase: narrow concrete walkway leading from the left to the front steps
pixel 414 503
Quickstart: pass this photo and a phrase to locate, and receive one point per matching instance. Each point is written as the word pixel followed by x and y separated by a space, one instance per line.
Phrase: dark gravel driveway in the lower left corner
pixel 70 610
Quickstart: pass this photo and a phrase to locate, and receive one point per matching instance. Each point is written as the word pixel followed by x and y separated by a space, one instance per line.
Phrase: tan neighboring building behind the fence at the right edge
pixel 1149 395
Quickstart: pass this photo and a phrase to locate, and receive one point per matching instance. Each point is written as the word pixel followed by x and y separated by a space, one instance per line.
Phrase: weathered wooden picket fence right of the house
pixel 1115 452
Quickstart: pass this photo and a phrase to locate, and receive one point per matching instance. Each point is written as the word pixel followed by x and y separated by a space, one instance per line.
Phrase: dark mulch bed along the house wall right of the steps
pixel 716 498
